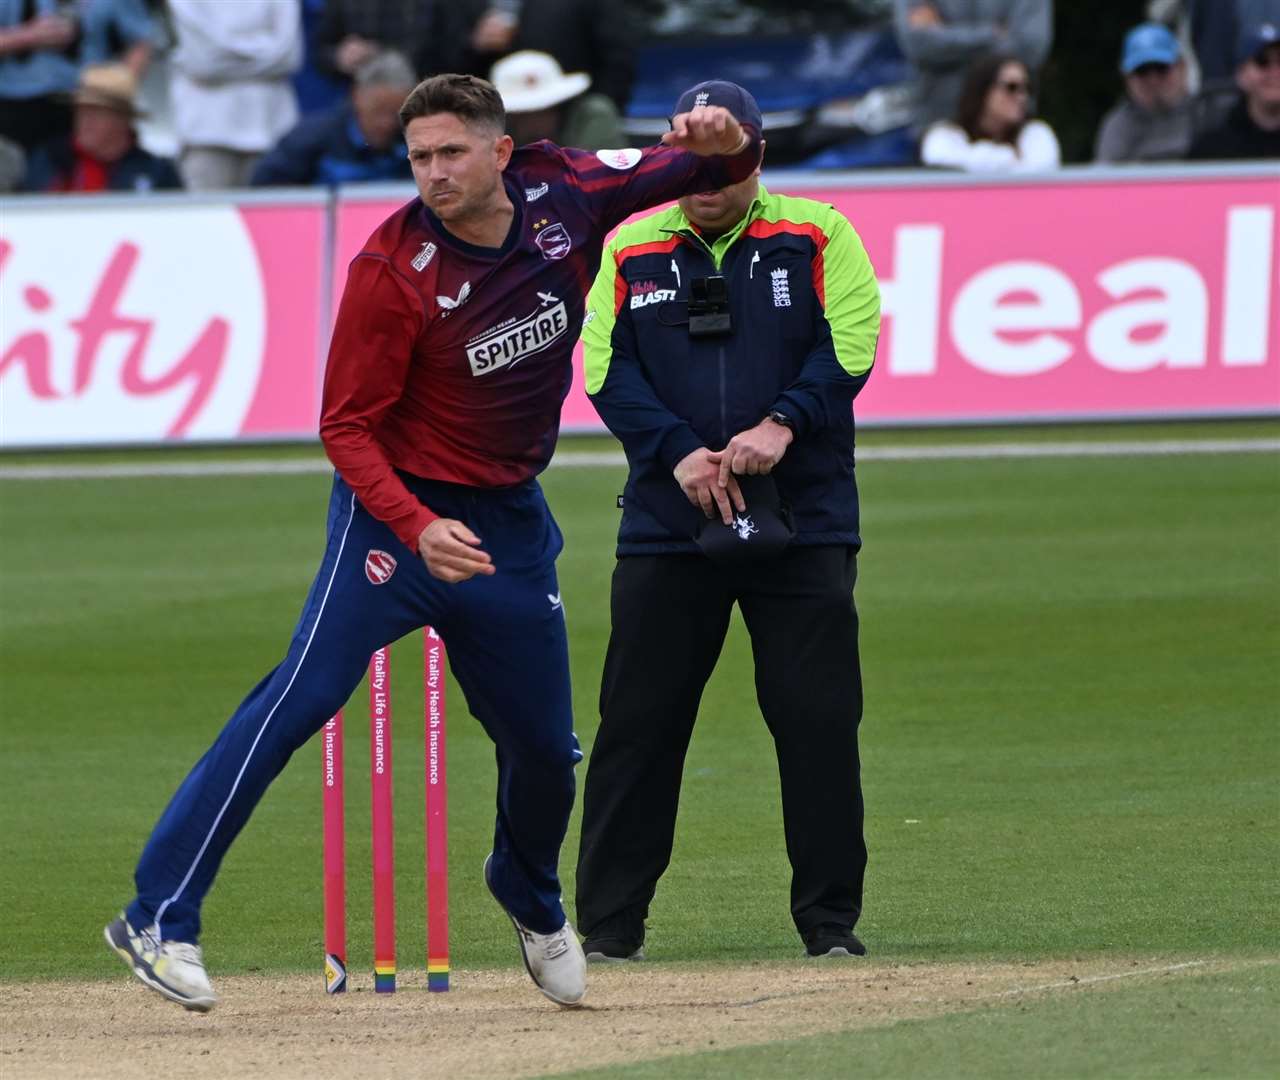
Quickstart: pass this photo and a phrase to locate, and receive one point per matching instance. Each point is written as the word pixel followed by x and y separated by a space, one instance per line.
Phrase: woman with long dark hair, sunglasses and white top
pixel 991 131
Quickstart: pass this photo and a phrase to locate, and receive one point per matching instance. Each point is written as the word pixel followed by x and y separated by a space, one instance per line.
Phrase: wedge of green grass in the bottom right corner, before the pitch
pixel 1181 1026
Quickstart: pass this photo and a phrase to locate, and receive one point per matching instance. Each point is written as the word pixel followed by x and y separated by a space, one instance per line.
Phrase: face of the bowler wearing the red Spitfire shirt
pixel 458 167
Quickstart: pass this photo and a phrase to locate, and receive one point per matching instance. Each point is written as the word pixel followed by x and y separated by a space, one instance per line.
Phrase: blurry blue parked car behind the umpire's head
pixel 833 84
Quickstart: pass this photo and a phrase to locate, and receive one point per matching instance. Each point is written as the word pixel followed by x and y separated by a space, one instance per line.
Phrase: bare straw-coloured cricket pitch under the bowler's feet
pixel 496 1024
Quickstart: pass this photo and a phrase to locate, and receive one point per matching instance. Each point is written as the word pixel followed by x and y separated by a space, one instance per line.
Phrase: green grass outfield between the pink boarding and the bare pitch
pixel 1069 743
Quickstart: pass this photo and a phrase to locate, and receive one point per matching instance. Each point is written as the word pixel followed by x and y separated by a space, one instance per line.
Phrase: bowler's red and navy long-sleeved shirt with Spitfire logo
pixel 451 361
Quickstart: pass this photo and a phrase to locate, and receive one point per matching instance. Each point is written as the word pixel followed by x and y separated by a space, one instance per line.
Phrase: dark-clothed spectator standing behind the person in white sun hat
pixel 593 36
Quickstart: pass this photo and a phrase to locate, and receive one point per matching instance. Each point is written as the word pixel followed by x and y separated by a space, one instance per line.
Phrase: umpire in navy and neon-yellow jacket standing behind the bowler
pixel 726 340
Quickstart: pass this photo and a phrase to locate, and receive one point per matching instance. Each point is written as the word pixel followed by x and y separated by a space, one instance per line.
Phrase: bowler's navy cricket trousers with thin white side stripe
pixel 508 649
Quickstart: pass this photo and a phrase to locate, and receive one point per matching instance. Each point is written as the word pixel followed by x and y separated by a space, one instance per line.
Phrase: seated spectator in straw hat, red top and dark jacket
pixel 103 152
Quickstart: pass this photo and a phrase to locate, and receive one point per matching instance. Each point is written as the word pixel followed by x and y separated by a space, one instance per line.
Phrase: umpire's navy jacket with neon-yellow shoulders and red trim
pixel 806 319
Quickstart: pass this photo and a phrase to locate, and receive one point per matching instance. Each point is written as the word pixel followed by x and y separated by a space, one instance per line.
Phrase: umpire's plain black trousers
pixel 670 615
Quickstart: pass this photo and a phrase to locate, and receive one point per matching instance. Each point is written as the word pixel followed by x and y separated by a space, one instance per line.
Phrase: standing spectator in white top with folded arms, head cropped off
pixel 231 90
